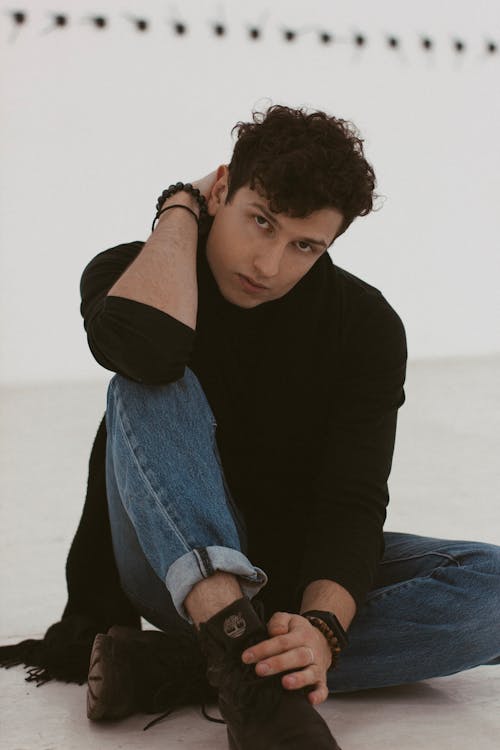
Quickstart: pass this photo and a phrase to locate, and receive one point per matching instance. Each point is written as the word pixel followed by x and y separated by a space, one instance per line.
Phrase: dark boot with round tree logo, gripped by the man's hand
pixel 260 714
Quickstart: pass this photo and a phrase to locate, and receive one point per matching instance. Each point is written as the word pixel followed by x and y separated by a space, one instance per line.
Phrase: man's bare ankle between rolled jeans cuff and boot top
pixel 211 595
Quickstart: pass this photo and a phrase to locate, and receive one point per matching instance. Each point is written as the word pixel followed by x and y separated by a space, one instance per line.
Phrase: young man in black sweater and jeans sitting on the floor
pixel 238 481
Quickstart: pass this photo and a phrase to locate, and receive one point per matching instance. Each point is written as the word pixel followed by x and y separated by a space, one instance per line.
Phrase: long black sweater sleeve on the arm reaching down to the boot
pixel 350 495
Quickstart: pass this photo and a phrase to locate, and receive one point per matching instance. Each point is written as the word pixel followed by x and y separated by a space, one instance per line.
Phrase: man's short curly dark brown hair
pixel 302 162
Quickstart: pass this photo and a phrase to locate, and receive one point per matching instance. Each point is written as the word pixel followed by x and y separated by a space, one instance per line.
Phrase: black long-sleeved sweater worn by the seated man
pixel 305 390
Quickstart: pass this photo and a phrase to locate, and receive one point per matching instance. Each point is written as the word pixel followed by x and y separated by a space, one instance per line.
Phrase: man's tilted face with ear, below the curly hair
pixel 274 250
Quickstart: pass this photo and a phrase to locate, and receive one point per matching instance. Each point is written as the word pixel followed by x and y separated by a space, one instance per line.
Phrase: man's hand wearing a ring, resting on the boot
pixel 294 644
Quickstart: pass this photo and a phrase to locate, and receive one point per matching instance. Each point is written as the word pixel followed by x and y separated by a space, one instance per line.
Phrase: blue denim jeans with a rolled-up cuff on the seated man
pixel 434 608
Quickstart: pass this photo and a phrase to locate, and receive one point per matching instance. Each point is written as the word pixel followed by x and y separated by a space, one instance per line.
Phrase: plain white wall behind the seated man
pixel 95 123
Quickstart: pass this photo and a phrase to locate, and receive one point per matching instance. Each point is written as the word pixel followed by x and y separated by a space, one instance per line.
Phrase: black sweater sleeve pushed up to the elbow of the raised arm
pixel 128 337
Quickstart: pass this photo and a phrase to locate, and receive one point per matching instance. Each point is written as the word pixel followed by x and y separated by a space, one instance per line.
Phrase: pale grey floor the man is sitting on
pixel 445 482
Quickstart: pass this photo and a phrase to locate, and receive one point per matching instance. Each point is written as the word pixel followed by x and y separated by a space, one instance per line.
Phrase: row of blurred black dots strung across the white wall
pixel 218 29
